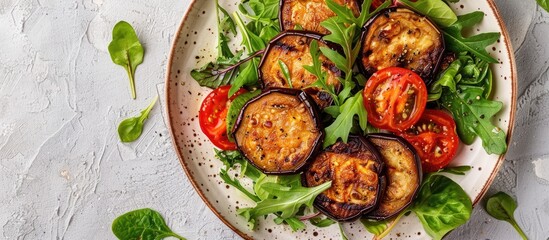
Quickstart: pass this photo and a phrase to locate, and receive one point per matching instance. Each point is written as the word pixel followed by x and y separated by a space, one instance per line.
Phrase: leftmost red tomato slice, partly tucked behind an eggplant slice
pixel 213 114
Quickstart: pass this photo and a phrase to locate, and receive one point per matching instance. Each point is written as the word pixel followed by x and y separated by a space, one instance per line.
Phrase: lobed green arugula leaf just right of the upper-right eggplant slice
pixel 476 44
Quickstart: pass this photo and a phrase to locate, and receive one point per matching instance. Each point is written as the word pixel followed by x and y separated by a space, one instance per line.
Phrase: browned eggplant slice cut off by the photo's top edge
pixel 309 13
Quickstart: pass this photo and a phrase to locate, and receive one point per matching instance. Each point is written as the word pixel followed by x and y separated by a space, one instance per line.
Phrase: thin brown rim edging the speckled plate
pixel 483 191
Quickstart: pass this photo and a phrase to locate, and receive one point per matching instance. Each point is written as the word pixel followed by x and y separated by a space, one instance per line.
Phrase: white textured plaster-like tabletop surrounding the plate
pixel 65 175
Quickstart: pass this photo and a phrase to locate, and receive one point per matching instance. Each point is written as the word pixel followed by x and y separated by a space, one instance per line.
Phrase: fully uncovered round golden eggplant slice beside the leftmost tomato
pixel 279 130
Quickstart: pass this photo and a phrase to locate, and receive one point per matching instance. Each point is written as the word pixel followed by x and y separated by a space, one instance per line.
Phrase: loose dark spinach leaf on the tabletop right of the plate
pixel 501 206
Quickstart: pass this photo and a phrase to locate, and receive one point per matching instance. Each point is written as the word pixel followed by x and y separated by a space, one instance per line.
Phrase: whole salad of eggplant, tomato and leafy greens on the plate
pixel 345 110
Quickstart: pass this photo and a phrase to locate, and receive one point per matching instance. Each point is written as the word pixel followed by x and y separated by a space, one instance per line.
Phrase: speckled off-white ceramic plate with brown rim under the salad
pixel 195 44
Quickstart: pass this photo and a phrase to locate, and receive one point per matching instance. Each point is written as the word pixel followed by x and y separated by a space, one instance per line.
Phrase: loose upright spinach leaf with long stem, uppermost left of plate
pixel 126 50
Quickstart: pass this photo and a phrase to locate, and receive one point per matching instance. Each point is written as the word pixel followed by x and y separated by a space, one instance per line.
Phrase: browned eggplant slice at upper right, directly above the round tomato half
pixel 399 37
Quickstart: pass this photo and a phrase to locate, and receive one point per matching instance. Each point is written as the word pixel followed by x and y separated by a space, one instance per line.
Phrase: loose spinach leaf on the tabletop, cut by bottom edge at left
pixel 142 224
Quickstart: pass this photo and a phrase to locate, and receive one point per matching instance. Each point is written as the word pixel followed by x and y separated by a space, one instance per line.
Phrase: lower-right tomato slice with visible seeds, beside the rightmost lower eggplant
pixel 435 139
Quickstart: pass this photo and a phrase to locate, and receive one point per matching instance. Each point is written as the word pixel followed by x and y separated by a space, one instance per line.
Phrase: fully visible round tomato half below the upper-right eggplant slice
pixel 394 98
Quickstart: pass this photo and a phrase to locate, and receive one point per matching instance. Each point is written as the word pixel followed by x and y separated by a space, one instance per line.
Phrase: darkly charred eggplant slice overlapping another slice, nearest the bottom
pixel 355 169
